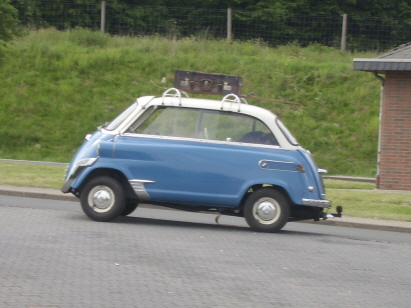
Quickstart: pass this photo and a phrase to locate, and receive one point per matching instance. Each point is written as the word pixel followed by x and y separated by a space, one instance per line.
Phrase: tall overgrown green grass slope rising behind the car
pixel 58 86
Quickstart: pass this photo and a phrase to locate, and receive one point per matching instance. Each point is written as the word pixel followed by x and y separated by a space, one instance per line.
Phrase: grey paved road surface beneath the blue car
pixel 52 255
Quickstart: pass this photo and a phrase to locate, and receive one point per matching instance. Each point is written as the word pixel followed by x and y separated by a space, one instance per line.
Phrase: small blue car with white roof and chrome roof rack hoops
pixel 194 154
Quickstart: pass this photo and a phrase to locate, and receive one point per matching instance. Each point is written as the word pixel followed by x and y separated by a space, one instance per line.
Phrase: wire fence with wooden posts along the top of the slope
pixel 356 33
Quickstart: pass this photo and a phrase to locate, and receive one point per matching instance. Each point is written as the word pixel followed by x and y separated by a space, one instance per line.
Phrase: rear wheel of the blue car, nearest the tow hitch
pixel 266 210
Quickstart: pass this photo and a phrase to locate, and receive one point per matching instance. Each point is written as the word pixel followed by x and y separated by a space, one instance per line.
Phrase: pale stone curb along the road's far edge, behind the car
pixel 345 221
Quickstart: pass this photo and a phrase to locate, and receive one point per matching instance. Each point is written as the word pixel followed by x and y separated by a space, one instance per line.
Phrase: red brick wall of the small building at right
pixel 395 156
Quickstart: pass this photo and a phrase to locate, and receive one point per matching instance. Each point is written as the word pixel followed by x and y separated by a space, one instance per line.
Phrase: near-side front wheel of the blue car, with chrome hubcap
pixel 103 199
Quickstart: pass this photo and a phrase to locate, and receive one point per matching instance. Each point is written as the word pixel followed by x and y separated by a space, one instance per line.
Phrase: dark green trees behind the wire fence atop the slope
pixel 276 22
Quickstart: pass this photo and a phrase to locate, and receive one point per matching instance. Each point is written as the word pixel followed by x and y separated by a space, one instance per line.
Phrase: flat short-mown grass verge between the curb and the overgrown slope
pixel 358 199
